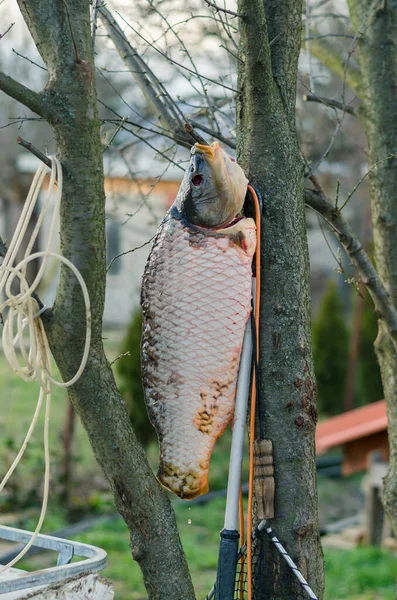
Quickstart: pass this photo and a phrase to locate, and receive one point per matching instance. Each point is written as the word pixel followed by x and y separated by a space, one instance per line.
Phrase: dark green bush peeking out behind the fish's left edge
pixel 129 369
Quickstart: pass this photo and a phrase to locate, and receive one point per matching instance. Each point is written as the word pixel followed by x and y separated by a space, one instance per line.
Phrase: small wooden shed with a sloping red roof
pixel 359 432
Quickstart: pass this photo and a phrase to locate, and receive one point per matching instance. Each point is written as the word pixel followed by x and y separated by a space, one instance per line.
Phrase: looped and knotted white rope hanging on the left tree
pixel 23 311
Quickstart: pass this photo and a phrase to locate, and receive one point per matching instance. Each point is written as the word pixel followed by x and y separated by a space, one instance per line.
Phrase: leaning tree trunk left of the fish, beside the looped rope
pixel 61 31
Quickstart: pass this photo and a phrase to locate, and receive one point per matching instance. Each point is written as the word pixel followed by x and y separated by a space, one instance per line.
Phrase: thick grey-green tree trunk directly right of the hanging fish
pixel 269 153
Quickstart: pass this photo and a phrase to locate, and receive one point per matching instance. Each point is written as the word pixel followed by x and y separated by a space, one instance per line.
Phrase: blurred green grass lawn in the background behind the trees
pixel 362 574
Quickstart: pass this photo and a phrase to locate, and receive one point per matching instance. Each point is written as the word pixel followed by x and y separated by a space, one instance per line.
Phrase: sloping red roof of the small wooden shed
pixel 352 425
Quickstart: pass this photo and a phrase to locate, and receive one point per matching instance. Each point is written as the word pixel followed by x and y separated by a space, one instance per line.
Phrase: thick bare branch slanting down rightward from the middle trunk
pixel 384 307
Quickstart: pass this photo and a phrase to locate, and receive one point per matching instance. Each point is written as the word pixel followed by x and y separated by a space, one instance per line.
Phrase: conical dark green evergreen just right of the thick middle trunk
pixel 330 352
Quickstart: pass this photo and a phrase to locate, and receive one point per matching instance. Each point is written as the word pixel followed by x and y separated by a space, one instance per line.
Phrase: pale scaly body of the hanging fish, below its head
pixel 196 299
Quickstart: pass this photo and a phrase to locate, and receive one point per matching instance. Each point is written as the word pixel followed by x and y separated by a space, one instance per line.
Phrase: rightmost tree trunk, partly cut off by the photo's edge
pixel 375 25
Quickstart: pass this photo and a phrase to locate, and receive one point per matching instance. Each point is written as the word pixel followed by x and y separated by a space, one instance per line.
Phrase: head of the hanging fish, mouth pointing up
pixel 213 189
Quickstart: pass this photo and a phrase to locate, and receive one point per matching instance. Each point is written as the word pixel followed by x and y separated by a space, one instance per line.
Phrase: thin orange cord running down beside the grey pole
pixel 253 395
